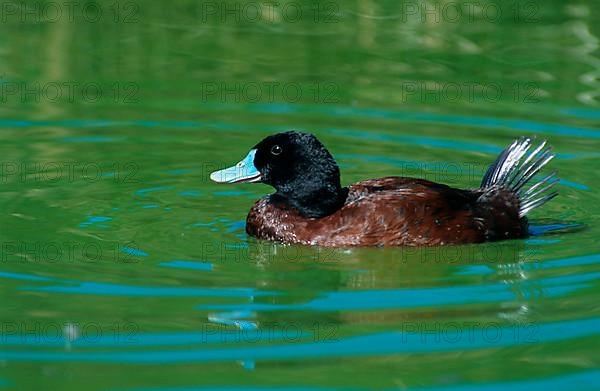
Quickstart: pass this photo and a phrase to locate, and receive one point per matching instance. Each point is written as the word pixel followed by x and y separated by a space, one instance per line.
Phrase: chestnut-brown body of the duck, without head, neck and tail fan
pixel 395 211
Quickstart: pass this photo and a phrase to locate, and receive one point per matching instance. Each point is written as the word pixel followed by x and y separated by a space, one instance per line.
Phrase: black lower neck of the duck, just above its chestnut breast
pixel 316 202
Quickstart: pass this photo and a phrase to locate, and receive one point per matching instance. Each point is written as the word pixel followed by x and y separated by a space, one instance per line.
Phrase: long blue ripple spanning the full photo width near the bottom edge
pixel 408 341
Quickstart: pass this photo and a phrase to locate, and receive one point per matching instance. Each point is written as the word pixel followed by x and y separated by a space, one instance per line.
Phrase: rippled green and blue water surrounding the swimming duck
pixel 124 268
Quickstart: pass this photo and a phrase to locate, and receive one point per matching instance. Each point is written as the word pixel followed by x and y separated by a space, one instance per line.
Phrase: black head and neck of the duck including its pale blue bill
pixel 300 168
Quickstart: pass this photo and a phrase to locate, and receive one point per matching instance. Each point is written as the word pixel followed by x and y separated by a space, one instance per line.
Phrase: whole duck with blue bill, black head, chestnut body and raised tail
pixel 311 207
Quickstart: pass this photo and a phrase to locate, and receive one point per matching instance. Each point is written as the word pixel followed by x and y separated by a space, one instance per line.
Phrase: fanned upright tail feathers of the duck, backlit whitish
pixel 514 170
